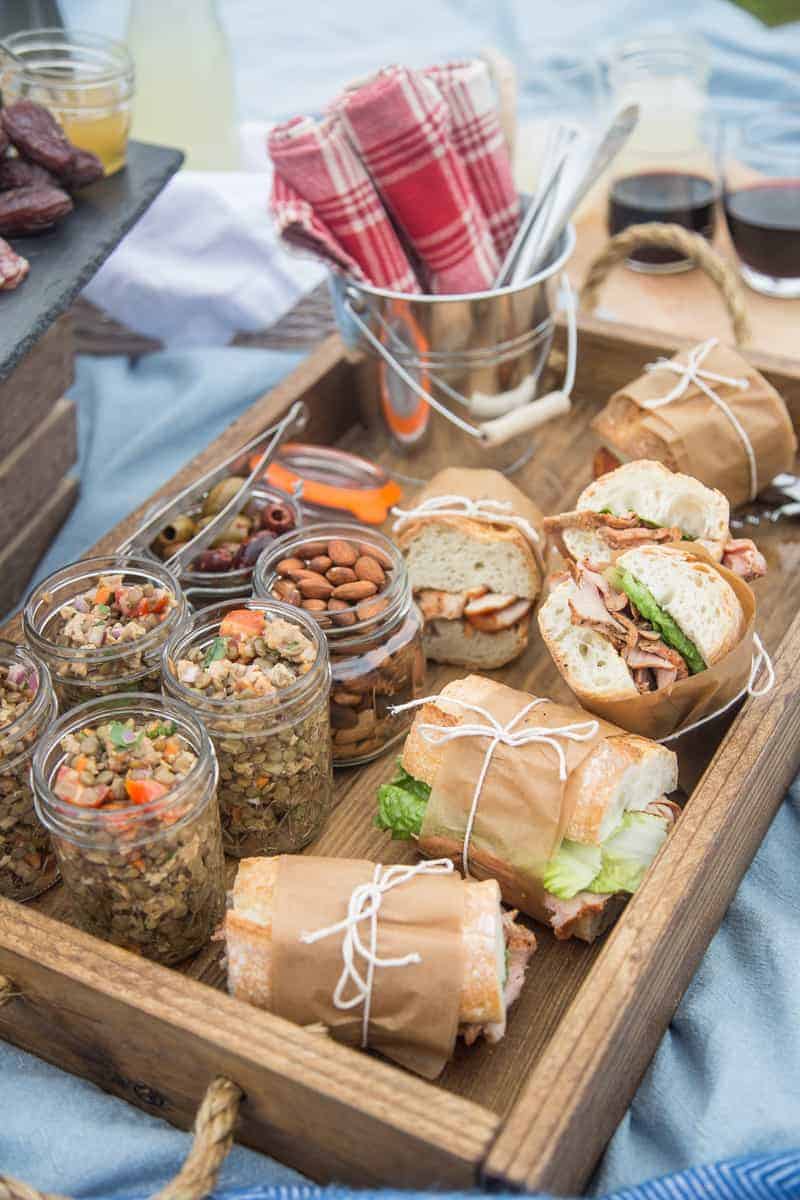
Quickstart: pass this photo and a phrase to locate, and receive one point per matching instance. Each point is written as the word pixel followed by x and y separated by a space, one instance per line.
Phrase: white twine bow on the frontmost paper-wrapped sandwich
pixel 365 905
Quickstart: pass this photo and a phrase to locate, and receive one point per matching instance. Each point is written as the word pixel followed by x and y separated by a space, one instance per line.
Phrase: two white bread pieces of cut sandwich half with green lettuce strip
pixel 690 590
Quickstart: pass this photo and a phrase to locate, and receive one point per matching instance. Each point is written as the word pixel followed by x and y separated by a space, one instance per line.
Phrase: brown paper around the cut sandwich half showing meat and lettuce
pixel 659 715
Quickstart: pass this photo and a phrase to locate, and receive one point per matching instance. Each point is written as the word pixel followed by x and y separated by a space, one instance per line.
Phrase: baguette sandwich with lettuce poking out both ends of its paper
pixel 619 819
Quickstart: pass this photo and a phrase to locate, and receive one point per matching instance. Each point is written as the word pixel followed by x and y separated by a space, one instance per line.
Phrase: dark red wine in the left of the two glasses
pixel 672 196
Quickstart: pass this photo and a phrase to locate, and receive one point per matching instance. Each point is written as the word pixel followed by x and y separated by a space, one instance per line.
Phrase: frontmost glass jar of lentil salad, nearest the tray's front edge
pixel 149 878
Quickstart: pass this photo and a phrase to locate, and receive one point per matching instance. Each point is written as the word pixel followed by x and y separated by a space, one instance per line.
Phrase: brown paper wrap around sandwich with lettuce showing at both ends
pixel 524 809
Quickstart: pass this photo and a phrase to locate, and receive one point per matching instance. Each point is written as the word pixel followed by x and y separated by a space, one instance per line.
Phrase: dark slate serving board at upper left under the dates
pixel 63 261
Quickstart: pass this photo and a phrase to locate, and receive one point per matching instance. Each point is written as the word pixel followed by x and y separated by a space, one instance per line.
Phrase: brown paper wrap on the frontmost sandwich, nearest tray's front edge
pixel 414 1012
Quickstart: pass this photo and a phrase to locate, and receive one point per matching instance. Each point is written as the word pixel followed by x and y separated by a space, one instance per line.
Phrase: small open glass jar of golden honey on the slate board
pixel 85 80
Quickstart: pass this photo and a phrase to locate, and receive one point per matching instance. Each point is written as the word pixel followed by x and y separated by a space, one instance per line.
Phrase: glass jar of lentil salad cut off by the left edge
pixel 28 863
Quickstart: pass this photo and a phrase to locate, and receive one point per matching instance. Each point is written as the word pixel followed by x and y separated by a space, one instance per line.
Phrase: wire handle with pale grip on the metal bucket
pixel 502 429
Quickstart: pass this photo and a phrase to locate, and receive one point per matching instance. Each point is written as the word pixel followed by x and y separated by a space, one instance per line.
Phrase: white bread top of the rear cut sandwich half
pixel 663 497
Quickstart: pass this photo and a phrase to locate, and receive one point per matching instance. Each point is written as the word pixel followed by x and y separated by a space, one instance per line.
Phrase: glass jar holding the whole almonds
pixel 377 659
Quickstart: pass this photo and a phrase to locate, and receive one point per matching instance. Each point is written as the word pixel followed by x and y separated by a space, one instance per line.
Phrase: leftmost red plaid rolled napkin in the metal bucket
pixel 323 200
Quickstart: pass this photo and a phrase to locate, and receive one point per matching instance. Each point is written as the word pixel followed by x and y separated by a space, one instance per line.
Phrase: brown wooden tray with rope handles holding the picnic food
pixel 537 1111
